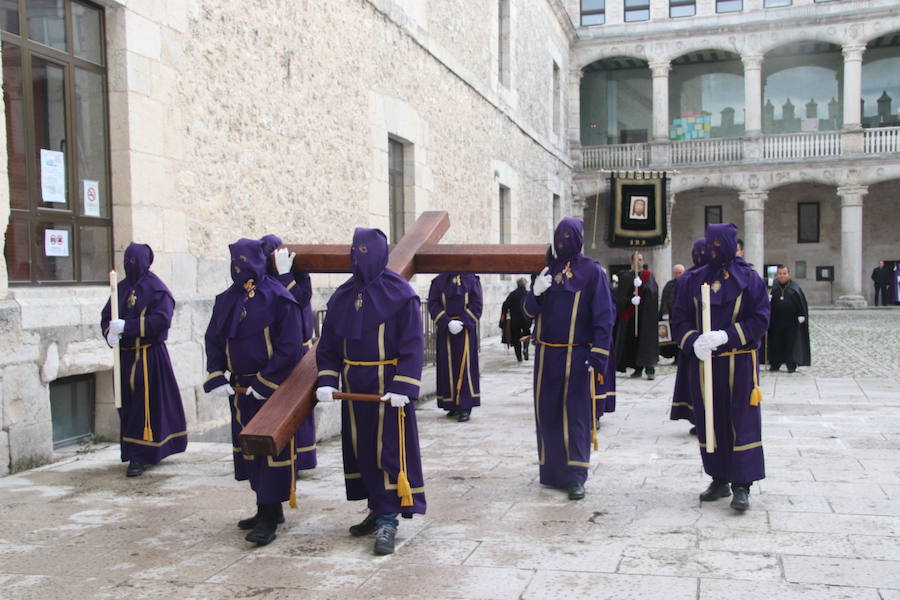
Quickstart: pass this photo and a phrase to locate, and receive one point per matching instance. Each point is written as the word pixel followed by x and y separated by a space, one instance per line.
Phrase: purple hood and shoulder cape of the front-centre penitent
pixel 373 294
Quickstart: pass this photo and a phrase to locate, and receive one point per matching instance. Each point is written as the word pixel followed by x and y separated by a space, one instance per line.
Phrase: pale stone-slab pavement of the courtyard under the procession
pixel 824 524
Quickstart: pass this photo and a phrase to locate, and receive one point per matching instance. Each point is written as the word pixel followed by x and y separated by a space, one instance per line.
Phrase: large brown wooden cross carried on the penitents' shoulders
pixel 417 252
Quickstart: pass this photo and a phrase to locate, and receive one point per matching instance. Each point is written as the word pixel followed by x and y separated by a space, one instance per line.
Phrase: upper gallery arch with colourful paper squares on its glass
pixel 706 96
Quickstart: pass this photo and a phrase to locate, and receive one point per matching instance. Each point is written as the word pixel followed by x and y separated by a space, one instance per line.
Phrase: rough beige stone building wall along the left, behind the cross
pixel 240 118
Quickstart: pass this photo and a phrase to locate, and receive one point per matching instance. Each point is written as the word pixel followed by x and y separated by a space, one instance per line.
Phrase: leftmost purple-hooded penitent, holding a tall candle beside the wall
pixel 152 424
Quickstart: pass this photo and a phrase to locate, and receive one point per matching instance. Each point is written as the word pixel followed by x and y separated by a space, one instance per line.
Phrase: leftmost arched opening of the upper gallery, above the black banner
pixel 616 102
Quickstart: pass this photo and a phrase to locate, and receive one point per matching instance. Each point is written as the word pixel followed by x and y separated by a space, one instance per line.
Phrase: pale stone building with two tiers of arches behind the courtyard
pixel 773 154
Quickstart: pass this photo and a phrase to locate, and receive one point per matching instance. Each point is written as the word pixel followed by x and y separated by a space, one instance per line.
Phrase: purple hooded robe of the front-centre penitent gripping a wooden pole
pixel 373 343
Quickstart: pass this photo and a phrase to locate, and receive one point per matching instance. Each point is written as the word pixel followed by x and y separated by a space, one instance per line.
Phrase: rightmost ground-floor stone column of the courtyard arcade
pixel 850 276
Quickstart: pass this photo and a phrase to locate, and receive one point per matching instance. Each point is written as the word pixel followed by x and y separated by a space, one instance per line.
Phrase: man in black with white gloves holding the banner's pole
pixel 637 334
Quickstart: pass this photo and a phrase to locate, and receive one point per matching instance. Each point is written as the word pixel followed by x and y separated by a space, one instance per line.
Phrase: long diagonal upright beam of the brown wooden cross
pixel 278 419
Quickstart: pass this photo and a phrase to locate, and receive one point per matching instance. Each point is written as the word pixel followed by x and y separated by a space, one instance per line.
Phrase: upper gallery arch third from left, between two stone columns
pixel 803 88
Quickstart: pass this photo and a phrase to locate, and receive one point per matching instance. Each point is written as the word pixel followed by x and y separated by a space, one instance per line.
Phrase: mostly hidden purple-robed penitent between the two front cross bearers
pixel 300 287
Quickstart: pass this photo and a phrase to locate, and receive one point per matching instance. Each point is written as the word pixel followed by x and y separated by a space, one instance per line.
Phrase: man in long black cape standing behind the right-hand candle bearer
pixel 788 339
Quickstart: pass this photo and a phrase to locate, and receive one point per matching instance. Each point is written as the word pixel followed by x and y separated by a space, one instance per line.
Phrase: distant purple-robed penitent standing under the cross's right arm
pixel 456 296
